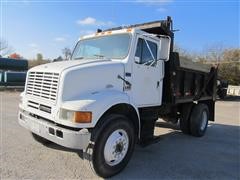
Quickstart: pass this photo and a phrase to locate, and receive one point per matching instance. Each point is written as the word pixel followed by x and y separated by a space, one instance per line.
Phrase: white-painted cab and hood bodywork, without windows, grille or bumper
pixel 93 85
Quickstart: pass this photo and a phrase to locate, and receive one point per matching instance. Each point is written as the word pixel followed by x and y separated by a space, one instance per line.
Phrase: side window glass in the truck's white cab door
pixel 143 51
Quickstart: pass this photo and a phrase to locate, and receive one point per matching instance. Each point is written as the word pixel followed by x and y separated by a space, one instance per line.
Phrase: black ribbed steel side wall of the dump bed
pixel 183 85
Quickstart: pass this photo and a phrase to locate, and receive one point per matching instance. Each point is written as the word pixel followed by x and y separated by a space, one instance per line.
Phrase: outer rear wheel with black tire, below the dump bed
pixel 199 120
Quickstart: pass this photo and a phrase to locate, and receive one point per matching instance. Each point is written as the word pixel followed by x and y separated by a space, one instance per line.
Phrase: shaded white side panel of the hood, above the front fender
pixel 87 77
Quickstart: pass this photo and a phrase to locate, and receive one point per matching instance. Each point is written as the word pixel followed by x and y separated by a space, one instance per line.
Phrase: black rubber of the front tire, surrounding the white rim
pixel 109 125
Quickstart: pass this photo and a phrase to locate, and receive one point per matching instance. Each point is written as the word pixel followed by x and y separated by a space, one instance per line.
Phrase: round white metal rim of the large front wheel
pixel 116 147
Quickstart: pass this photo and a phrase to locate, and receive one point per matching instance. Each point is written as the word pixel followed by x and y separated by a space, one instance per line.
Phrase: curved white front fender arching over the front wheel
pixel 97 103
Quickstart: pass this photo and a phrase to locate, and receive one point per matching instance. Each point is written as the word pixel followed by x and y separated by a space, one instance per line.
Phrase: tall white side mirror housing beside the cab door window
pixel 164 49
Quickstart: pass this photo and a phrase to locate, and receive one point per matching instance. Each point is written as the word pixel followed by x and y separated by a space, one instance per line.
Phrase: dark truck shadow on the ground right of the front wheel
pixel 179 156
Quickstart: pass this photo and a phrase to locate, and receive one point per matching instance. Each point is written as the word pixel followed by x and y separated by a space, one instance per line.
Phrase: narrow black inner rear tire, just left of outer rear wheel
pixel 184 119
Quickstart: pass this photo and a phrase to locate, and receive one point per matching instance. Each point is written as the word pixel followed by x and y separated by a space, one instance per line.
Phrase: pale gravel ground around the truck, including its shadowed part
pixel 175 156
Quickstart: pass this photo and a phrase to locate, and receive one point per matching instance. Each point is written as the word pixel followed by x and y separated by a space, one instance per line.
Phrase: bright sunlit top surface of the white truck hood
pixel 60 66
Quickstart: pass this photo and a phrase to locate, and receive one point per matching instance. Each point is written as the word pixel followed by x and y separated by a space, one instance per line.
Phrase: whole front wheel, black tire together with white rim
pixel 114 142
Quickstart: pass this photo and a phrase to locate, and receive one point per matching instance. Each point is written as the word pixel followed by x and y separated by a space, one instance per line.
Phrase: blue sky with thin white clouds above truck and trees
pixel 41 26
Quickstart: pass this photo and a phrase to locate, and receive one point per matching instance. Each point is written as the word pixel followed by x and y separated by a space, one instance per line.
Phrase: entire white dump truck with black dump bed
pixel 107 97
